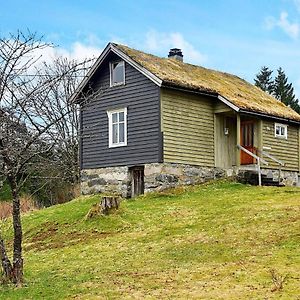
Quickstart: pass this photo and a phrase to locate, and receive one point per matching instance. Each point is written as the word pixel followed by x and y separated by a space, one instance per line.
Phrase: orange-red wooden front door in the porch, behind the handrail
pixel 247 141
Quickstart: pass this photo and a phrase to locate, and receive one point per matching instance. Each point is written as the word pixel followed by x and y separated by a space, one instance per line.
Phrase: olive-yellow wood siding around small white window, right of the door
pixel 286 150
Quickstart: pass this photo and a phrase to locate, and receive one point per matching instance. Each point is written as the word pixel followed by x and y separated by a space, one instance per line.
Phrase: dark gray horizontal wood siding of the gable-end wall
pixel 141 97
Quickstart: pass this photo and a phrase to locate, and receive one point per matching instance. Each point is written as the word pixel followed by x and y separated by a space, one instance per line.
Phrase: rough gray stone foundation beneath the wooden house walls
pixel 160 176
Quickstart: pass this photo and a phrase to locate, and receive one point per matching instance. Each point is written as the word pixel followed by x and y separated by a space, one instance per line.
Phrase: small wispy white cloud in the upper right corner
pixel 291 29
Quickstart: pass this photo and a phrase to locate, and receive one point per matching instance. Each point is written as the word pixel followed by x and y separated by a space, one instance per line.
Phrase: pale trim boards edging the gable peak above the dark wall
pixel 112 48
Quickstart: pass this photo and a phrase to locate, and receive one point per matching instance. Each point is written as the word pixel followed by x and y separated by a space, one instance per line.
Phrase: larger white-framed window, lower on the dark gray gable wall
pixel 117 127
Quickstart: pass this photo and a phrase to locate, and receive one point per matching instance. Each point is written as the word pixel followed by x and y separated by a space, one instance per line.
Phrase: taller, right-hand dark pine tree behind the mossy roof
pixel 284 91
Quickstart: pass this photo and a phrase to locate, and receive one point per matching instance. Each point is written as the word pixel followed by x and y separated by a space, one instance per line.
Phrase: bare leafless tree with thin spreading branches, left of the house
pixel 31 124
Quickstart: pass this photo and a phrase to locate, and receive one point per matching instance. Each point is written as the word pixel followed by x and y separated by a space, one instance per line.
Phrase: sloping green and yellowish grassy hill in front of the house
pixel 214 241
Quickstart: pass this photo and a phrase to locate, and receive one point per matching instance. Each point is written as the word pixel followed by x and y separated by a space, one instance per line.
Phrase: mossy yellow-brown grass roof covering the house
pixel 241 93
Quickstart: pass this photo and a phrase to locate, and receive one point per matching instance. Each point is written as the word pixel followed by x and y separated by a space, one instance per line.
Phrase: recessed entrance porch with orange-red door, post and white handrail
pixel 239 144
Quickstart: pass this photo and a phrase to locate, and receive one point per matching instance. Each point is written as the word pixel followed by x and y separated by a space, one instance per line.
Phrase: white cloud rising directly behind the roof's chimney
pixel 159 42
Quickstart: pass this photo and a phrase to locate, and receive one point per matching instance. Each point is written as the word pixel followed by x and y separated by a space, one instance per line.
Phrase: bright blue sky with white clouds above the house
pixel 235 36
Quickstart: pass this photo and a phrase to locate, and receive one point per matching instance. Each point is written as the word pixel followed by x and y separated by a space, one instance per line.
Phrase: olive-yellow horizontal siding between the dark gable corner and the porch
pixel 188 128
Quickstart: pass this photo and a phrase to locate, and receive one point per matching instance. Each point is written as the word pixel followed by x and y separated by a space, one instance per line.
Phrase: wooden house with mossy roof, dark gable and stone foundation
pixel 148 123
